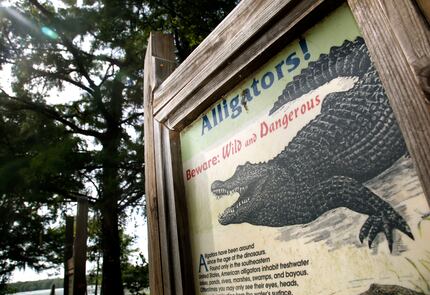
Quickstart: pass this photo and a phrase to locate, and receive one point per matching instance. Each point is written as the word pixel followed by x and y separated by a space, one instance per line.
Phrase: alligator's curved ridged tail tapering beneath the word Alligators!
pixel 351 59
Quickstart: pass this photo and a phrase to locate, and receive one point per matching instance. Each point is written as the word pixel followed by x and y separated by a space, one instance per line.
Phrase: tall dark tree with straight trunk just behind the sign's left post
pixel 98 48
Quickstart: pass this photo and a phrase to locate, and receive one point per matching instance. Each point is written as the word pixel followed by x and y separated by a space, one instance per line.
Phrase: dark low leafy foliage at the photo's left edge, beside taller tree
pixel 31 178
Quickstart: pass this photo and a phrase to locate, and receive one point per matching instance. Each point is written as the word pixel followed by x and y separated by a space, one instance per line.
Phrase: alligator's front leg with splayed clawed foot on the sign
pixel 340 191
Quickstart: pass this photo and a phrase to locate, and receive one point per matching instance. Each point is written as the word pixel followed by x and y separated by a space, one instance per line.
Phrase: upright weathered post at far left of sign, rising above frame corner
pixel 159 63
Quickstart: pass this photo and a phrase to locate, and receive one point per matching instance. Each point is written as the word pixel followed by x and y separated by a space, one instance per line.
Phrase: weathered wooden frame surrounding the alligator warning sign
pixel 398 39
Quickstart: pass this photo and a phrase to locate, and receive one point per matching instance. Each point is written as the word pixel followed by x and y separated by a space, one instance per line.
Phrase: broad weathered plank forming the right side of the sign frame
pixel 388 27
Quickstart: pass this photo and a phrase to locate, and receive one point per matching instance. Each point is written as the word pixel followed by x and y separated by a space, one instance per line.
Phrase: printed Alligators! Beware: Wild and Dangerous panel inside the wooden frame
pixel 298 181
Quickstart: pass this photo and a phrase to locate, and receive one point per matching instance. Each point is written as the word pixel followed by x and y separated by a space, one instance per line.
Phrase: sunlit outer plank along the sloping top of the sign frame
pixel 225 41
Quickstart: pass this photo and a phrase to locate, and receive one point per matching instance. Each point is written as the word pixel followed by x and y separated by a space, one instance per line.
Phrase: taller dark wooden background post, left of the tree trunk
pixel 80 249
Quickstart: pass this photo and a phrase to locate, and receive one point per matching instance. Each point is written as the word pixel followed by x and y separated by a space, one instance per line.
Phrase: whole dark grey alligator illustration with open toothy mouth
pixel 353 139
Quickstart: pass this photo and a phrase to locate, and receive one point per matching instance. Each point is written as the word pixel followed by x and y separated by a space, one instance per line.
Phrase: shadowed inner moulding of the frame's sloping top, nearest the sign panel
pixel 258 52
